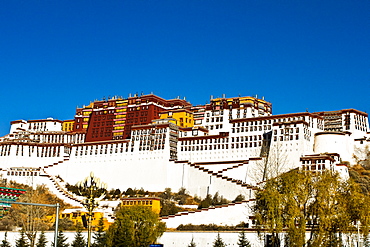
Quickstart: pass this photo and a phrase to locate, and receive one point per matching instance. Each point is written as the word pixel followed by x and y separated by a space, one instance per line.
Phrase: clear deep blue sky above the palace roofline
pixel 56 55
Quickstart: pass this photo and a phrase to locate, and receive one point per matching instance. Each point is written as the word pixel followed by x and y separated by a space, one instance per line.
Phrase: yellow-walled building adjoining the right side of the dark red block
pixel 181 117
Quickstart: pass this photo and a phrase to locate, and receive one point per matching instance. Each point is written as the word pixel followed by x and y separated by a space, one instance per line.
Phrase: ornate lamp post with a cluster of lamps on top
pixel 93 190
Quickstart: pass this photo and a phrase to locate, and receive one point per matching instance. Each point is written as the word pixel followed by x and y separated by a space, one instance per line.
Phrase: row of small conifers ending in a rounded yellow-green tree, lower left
pixel 135 226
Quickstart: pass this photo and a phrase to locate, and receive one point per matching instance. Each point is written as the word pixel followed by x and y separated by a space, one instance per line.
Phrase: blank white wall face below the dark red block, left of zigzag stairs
pixel 123 170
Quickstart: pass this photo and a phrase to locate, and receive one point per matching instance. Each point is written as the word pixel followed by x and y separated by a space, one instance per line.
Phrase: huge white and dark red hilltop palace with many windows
pixel 227 146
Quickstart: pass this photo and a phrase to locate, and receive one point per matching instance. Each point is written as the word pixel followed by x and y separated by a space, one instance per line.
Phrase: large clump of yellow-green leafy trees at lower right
pixel 323 204
